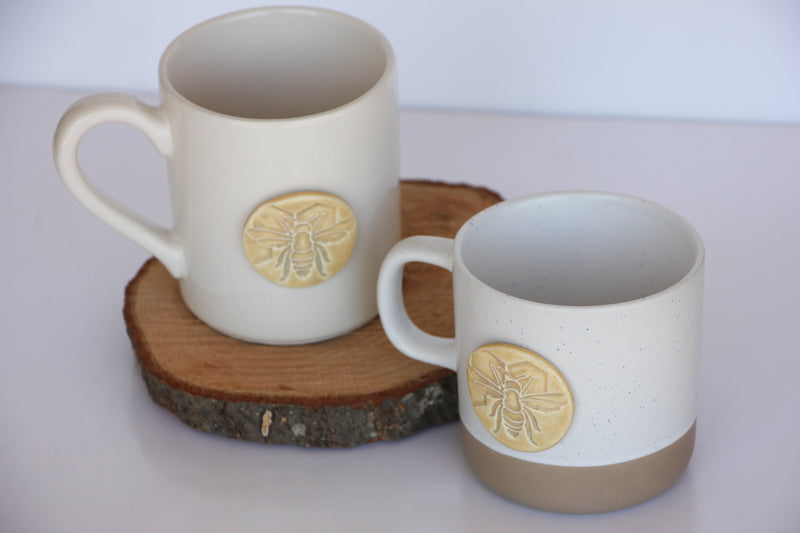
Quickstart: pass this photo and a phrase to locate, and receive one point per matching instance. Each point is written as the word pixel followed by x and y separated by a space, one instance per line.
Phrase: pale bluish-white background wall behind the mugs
pixel 702 59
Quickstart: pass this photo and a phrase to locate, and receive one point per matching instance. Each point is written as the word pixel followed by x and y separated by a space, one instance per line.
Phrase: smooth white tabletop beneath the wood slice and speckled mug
pixel 84 449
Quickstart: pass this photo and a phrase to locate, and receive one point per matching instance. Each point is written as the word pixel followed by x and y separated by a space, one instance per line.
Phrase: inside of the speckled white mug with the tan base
pixel 579 249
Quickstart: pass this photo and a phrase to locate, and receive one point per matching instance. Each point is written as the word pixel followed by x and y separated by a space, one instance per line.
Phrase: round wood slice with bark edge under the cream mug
pixel 344 392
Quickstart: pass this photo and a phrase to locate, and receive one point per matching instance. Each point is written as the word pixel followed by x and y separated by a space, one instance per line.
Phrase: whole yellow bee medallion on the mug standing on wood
pixel 301 238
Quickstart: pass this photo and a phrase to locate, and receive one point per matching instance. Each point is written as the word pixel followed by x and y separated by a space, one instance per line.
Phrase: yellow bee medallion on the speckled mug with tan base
pixel 519 396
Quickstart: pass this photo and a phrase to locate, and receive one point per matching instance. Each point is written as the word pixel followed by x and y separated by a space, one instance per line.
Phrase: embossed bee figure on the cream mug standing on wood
pixel 301 245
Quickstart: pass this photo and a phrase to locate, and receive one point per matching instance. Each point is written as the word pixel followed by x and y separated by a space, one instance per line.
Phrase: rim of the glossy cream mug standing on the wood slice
pixel 226 18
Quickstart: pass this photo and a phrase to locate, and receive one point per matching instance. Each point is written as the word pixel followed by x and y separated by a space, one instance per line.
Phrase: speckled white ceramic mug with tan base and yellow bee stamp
pixel 577 340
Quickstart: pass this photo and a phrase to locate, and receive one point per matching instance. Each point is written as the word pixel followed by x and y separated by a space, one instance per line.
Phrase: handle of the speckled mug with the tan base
pixel 399 328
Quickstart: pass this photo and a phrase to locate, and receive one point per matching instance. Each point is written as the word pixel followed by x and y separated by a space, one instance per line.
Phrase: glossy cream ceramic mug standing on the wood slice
pixel 280 129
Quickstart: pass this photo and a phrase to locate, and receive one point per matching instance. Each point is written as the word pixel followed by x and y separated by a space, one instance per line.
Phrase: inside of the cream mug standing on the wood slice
pixel 276 63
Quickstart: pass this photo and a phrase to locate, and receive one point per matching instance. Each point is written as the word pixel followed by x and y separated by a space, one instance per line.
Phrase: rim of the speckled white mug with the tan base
pixel 688 230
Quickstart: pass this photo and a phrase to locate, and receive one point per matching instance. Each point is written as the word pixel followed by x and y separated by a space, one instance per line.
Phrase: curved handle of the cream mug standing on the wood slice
pixel 92 111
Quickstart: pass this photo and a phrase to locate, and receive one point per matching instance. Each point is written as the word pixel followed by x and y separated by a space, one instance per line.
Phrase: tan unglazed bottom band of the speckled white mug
pixel 583 489
